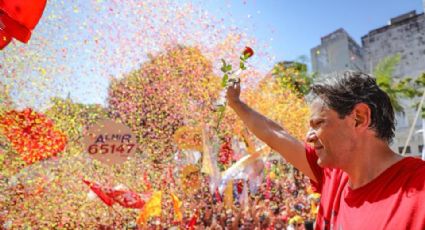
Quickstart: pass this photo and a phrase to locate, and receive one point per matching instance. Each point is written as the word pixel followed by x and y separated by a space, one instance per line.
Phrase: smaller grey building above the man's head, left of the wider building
pixel 337 52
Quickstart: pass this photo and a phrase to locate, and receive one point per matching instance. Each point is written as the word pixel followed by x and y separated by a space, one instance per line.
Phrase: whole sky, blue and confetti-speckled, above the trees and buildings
pixel 79 45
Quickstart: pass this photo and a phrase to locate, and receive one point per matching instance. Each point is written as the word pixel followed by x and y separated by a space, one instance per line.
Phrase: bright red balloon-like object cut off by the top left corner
pixel 18 18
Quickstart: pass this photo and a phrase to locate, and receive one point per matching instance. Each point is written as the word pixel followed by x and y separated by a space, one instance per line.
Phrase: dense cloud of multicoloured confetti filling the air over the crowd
pixel 155 67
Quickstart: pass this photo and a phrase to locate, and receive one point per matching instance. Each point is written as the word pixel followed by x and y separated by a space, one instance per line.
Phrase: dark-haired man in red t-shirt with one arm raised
pixel 364 184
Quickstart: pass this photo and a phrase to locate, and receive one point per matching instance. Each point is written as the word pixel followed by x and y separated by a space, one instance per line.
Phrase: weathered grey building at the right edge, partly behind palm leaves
pixel 404 35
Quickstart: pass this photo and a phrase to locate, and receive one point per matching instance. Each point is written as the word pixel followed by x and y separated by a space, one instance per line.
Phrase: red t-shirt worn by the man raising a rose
pixel 393 200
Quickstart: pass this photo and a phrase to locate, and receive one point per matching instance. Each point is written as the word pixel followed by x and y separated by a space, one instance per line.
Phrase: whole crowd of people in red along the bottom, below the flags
pixel 283 201
